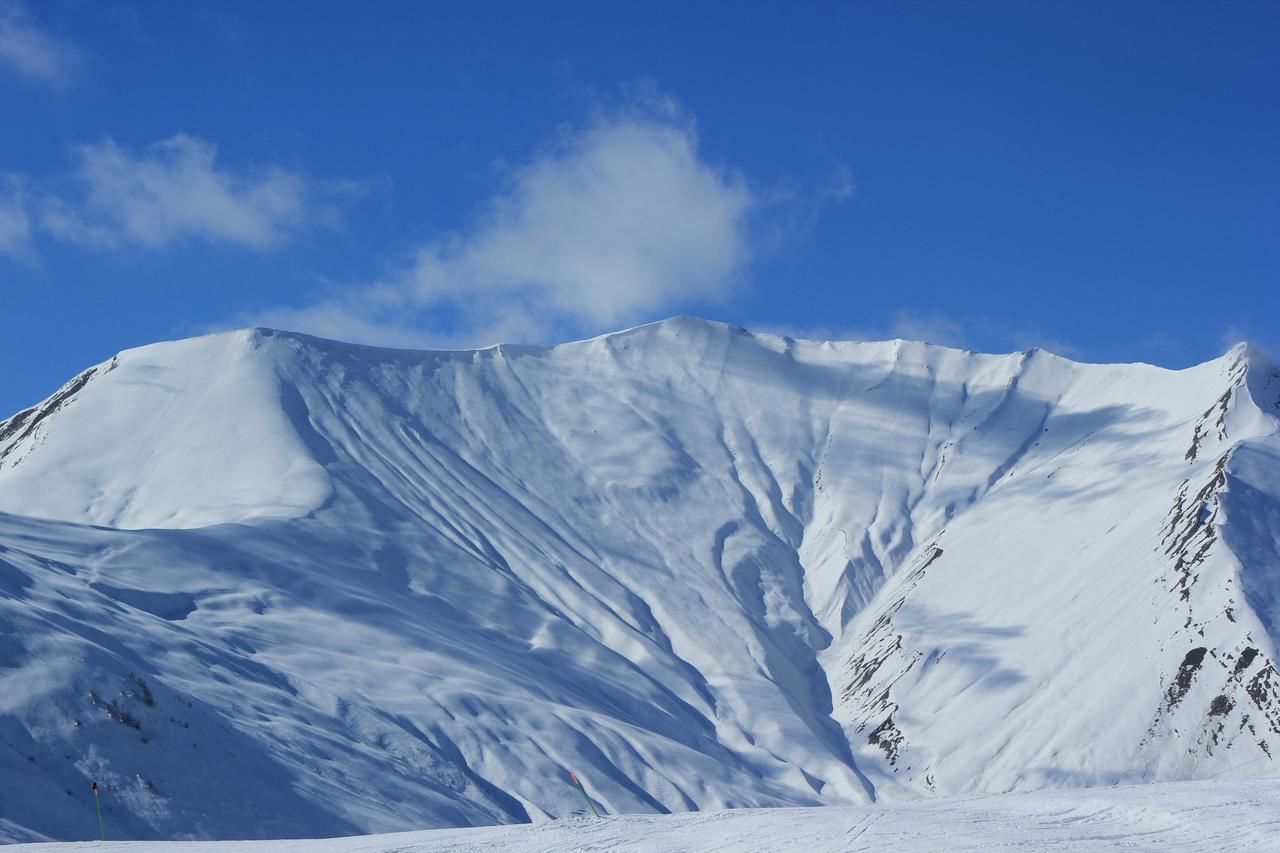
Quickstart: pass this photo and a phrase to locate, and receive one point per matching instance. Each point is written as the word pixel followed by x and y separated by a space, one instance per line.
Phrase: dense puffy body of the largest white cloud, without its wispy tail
pixel 621 217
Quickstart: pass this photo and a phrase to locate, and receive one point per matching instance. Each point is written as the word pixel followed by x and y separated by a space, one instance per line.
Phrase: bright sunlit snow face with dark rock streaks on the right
pixel 1087 622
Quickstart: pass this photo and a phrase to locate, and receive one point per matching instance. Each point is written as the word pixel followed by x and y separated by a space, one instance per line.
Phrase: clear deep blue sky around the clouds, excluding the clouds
pixel 1095 177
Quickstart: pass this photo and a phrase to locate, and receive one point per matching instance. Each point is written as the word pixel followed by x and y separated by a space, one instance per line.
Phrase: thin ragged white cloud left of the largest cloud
pixel 176 190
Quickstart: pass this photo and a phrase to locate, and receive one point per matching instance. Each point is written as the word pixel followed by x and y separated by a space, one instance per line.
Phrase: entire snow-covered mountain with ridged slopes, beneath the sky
pixel 260 585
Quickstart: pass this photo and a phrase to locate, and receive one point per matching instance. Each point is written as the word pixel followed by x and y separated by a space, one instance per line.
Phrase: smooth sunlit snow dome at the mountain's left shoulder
pixel 181 435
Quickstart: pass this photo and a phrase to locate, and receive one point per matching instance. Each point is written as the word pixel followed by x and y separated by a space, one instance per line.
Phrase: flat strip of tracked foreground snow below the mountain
pixel 1237 815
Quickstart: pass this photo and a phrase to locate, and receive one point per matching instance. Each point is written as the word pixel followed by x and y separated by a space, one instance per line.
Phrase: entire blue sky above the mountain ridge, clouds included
pixel 1098 179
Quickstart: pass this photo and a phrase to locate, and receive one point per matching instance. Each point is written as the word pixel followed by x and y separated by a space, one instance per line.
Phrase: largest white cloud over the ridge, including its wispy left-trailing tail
pixel 619 220
